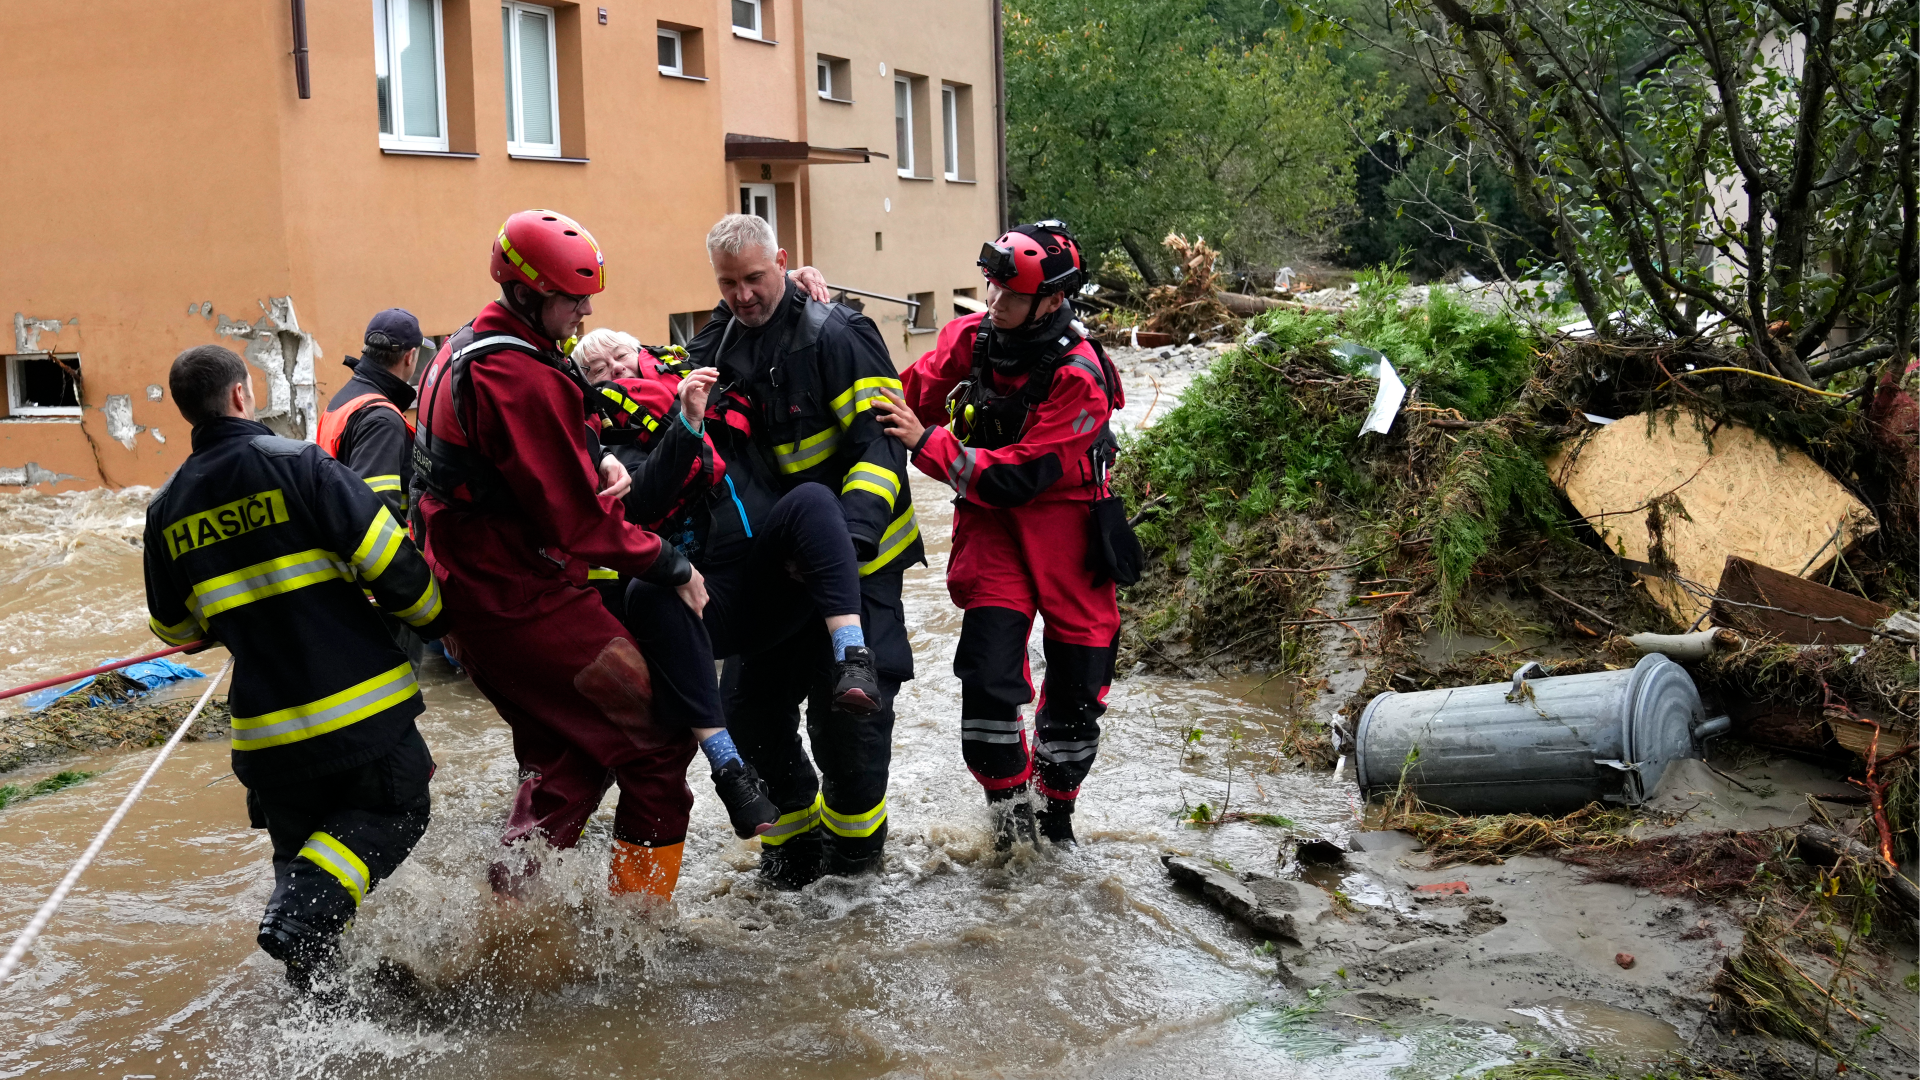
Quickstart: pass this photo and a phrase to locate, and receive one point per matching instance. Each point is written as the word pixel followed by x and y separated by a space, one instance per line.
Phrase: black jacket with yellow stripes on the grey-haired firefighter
pixel 800 391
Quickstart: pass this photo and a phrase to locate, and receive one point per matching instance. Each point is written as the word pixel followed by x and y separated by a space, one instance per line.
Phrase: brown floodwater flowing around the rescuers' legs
pixel 949 964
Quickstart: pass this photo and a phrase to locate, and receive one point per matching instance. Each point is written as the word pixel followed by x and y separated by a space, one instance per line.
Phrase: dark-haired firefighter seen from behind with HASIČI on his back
pixel 266 545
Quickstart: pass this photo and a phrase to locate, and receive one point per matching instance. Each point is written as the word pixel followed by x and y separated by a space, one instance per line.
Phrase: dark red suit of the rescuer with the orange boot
pixel 514 560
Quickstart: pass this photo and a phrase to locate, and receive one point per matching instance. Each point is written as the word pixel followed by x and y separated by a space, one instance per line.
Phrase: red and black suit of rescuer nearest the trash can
pixel 1020 545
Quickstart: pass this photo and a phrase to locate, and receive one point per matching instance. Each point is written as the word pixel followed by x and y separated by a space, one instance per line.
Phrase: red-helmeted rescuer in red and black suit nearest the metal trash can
pixel 1011 410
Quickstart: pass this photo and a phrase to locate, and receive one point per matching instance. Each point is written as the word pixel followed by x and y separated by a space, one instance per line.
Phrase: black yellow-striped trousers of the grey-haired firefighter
pixel 763 693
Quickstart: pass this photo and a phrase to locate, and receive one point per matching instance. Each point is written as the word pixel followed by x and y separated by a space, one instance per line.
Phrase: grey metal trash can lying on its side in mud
pixel 1539 745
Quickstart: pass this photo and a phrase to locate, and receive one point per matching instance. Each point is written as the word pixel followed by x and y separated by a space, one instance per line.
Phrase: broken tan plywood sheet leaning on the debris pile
pixel 1742 497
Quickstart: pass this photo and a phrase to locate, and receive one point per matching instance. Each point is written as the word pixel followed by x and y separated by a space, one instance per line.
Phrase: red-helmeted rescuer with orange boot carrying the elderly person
pixel 517 504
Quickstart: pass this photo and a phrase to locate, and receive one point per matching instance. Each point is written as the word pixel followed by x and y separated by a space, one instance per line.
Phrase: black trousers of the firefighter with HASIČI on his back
pixel 339 837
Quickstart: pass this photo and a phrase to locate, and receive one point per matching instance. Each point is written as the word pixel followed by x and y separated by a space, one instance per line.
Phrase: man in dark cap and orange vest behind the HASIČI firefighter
pixel 366 426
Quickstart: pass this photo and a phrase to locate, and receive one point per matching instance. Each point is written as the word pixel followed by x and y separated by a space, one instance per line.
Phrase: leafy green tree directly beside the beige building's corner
pixel 1136 118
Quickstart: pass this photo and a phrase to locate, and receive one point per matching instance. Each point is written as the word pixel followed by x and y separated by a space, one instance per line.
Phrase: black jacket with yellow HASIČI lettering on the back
pixel 266 545
